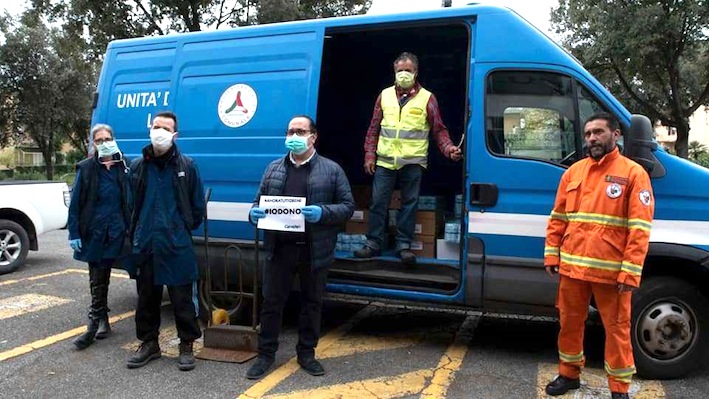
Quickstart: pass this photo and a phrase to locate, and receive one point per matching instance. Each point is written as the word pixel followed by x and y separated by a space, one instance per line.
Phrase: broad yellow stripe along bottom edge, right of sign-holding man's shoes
pixel 375 388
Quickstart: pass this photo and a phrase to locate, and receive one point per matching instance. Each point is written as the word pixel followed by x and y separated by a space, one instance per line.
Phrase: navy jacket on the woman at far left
pixel 98 211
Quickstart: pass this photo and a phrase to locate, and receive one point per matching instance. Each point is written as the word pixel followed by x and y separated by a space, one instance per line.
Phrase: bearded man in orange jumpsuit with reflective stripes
pixel 596 240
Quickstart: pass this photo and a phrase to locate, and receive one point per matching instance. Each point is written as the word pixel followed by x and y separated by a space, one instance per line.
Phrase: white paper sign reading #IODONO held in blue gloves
pixel 282 213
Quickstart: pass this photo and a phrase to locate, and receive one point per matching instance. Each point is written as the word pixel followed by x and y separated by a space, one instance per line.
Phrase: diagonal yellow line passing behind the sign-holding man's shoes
pixel 277 376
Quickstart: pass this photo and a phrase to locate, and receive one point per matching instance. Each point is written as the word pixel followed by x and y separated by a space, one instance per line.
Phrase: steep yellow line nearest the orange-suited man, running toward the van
pixel 451 361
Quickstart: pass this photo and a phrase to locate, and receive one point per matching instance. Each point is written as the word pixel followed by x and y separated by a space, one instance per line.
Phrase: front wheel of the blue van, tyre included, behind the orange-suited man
pixel 670 328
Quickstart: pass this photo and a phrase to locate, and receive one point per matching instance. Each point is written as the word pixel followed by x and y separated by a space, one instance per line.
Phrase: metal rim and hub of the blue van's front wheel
pixel 667 329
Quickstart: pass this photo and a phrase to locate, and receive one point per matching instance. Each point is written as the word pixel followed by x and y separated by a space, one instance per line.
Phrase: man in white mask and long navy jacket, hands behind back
pixel 167 203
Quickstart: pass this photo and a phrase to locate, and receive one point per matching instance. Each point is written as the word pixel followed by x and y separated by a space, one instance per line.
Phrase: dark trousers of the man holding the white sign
pixel 289 259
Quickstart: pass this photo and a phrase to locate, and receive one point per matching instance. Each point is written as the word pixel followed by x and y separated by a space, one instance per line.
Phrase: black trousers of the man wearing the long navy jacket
pixel 147 314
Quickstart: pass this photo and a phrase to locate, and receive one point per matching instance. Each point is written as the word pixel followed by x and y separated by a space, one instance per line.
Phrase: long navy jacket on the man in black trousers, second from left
pixel 167 204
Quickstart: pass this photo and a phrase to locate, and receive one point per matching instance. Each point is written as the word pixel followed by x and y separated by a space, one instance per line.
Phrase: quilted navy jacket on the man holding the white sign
pixel 327 187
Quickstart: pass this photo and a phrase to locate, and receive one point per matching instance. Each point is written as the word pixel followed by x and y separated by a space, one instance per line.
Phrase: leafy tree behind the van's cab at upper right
pixel 654 55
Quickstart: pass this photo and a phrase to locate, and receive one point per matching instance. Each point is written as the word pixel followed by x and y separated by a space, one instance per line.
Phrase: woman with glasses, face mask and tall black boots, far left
pixel 98 216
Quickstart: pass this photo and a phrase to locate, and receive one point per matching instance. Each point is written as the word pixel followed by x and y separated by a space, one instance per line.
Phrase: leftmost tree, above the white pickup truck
pixel 44 85
